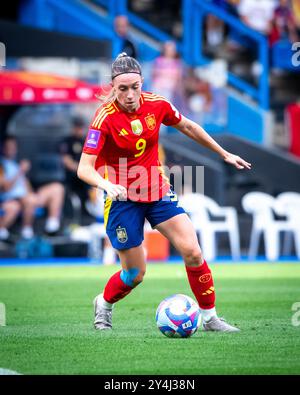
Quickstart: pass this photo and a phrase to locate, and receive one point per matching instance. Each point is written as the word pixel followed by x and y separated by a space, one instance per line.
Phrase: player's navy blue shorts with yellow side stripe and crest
pixel 125 219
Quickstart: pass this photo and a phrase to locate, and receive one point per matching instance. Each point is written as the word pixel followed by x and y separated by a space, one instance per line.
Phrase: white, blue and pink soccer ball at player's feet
pixel 178 316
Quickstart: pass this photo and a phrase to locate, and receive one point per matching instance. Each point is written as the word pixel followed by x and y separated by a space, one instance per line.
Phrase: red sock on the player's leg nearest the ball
pixel 202 285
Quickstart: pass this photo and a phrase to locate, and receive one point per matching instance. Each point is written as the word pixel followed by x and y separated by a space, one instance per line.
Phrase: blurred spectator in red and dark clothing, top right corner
pixel 284 24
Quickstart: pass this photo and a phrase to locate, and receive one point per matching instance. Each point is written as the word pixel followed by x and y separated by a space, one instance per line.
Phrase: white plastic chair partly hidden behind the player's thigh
pixel 201 210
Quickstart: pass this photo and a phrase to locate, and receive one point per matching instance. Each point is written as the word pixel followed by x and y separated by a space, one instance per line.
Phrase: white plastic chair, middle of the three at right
pixel 263 207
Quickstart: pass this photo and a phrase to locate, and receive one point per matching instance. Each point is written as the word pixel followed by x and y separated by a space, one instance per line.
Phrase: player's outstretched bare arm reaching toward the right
pixel 197 133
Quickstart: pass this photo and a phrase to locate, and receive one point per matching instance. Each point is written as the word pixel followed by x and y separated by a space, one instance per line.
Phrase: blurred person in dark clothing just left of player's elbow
pixel 70 149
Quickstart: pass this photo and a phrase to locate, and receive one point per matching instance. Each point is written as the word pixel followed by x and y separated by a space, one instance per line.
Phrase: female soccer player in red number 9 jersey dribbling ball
pixel 123 140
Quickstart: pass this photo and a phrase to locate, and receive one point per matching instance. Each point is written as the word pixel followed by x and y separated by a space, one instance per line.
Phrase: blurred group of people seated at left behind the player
pixel 23 199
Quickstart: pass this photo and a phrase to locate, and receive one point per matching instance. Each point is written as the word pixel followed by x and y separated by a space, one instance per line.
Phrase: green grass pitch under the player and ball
pixel 49 316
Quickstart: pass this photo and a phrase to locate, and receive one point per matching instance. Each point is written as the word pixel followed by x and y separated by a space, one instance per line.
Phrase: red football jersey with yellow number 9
pixel 126 145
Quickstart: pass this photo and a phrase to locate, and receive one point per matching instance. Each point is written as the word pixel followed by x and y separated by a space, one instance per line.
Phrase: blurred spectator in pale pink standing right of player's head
pixel 167 74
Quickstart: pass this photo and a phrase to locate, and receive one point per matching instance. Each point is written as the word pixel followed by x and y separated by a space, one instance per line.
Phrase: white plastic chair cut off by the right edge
pixel 288 204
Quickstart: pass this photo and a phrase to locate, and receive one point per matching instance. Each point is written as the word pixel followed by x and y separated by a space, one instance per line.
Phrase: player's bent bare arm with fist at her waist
pixel 87 173
